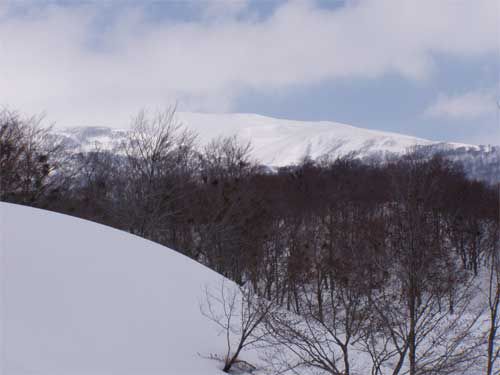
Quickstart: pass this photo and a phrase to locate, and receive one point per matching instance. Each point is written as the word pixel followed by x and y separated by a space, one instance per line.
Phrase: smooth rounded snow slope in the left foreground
pixel 82 298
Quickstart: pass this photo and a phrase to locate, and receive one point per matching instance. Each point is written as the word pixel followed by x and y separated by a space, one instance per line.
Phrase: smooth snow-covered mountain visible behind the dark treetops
pixel 275 142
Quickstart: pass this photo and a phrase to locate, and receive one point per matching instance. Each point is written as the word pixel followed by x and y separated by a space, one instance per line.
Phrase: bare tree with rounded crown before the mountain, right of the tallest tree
pixel 226 207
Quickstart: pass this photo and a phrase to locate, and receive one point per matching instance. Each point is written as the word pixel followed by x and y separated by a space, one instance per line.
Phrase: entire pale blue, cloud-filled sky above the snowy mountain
pixel 425 68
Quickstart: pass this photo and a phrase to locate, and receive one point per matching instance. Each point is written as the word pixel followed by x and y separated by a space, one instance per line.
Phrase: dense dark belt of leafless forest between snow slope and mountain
pixel 379 255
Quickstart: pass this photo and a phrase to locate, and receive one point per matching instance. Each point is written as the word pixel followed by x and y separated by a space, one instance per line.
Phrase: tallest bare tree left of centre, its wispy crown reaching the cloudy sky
pixel 158 164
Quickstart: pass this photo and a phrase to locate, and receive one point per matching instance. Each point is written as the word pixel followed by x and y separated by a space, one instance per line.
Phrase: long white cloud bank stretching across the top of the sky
pixel 54 59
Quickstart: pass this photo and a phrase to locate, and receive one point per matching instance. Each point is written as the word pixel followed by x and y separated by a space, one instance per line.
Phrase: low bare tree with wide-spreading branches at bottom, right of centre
pixel 322 335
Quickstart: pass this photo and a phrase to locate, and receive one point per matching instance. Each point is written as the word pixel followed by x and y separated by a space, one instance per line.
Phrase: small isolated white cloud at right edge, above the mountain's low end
pixel 468 105
